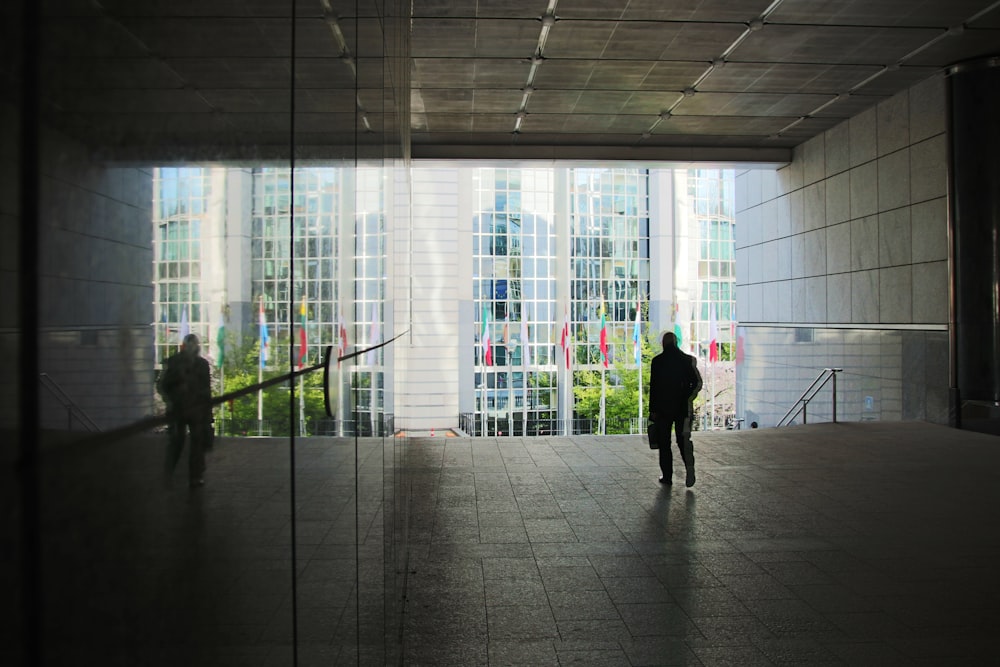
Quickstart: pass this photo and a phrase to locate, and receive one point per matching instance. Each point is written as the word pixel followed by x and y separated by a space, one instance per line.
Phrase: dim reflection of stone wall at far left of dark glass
pixel 94 276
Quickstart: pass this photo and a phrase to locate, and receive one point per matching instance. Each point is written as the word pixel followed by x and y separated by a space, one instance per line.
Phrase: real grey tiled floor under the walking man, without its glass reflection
pixel 837 544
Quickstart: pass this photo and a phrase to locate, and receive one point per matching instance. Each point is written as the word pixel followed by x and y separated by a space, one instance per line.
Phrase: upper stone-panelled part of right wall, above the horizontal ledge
pixel 854 230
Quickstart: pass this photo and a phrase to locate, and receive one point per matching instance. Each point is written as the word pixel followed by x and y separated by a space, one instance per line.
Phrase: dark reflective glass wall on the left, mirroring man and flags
pixel 130 130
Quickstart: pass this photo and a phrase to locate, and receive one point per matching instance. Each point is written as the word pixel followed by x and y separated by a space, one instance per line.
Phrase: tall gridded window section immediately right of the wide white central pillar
pixel 514 269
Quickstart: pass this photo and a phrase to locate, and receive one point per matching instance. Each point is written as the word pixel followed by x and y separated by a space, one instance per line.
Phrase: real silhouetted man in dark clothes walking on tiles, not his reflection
pixel 674 382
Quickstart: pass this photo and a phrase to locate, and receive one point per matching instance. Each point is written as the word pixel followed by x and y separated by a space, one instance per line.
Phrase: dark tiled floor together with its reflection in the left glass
pixel 828 544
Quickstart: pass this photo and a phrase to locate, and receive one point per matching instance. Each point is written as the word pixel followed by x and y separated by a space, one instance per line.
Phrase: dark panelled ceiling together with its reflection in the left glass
pixel 716 80
